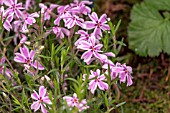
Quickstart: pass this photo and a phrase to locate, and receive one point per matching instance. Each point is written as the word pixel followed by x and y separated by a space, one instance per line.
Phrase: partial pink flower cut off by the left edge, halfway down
pixel 2 68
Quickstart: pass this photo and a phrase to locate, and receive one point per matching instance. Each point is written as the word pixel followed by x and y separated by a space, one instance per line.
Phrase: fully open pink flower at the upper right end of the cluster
pixel 98 24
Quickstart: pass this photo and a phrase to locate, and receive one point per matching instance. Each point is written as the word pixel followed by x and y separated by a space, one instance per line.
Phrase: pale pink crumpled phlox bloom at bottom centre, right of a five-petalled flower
pixel 74 102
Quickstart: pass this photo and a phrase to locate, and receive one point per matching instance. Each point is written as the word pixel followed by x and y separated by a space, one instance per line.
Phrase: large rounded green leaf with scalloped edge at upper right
pixel 149 28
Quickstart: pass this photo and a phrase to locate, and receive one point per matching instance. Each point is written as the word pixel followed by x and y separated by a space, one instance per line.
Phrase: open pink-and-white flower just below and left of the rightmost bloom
pixel 97 80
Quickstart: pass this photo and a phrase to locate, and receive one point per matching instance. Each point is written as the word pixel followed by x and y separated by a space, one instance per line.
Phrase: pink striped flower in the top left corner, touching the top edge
pixel 13 7
